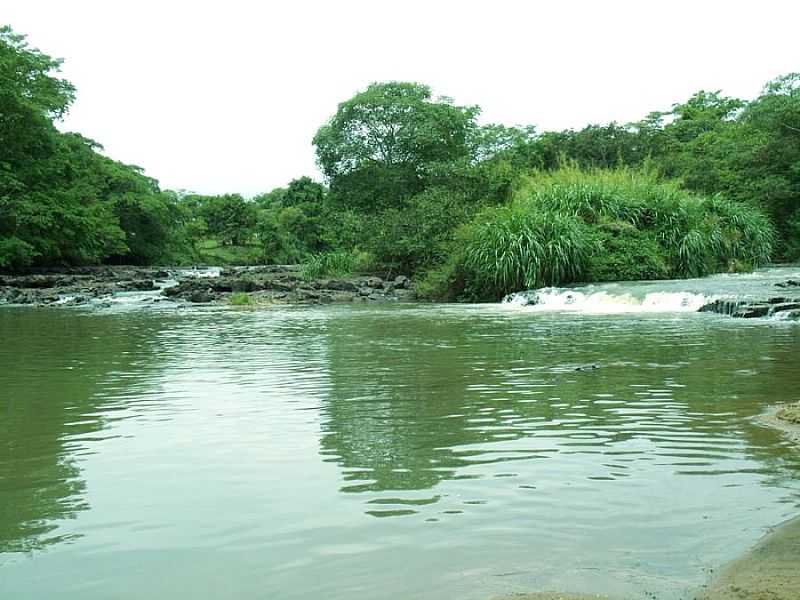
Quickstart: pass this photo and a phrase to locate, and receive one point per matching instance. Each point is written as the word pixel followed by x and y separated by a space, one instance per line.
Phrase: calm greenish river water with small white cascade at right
pixel 391 452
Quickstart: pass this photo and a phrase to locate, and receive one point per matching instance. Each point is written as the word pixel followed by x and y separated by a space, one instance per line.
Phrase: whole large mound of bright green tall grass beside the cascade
pixel 571 225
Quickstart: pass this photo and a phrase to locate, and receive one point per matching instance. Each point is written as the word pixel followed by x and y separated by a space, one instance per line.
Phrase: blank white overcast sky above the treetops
pixel 225 96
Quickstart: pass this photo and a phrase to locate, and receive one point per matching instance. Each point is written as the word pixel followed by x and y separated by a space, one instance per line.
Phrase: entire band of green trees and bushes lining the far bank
pixel 414 185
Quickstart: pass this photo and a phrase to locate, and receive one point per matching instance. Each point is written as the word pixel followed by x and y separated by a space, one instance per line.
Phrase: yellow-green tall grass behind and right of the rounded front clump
pixel 696 235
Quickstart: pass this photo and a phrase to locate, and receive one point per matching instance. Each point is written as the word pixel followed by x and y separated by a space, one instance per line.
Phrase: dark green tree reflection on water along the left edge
pixel 58 371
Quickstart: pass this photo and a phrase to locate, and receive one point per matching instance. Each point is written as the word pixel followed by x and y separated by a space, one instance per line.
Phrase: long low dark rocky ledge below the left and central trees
pixel 262 285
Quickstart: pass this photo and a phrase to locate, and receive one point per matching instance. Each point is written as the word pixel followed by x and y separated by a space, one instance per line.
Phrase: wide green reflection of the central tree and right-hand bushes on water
pixel 414 399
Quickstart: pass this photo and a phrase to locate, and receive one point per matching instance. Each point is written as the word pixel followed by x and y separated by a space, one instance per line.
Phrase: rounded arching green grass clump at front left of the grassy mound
pixel 510 248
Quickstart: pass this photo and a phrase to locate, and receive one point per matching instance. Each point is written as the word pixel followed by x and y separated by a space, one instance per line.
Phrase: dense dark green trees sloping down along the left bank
pixel 61 201
